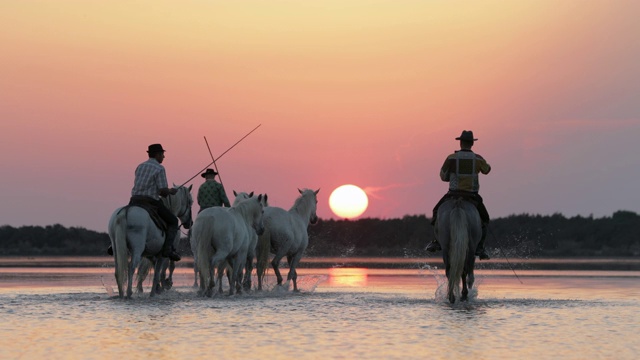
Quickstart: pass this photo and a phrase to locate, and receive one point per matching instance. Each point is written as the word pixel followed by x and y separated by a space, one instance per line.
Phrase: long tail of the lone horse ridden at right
pixel 458 247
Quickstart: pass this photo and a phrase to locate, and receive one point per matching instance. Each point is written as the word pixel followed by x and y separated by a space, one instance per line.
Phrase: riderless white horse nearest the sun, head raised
pixel 286 235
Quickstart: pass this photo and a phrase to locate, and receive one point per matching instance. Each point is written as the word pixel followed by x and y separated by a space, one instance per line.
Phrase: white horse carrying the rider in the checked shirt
pixel 134 233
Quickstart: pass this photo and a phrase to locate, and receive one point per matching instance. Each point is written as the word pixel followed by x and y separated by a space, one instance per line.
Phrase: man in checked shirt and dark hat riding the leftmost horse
pixel 149 185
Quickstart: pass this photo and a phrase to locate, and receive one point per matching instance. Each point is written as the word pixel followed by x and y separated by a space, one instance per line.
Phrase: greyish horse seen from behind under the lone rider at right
pixel 458 230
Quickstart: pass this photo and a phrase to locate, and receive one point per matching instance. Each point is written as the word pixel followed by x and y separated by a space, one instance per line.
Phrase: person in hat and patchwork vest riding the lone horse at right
pixel 461 170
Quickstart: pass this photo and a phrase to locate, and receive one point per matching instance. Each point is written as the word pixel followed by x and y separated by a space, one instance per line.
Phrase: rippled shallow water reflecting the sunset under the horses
pixel 348 313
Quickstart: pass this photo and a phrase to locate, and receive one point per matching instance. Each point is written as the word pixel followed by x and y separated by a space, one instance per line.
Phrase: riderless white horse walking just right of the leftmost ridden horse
pixel 223 235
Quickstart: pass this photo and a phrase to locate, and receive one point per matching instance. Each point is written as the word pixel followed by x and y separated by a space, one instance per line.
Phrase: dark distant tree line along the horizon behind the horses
pixel 516 236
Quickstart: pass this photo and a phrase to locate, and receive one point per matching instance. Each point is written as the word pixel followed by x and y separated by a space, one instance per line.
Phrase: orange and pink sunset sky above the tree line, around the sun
pixel 367 92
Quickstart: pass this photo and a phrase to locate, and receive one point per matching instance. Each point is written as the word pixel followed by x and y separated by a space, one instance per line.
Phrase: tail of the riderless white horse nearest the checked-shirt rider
pixel 202 232
